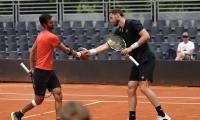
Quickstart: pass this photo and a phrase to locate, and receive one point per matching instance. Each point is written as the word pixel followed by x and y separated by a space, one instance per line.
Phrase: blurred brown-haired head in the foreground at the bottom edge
pixel 74 111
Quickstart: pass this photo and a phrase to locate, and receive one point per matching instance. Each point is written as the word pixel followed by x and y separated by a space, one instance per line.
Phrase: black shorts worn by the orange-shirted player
pixel 44 79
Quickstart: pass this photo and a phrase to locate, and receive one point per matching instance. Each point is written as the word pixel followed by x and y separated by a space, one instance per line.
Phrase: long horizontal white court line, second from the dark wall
pixel 108 101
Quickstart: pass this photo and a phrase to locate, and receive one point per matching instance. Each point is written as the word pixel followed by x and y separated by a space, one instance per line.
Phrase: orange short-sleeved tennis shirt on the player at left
pixel 46 42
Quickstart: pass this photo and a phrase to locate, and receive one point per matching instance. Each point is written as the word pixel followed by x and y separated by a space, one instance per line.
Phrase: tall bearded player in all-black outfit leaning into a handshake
pixel 136 38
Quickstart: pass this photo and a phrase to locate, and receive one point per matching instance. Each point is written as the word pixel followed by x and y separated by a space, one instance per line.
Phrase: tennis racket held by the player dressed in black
pixel 117 43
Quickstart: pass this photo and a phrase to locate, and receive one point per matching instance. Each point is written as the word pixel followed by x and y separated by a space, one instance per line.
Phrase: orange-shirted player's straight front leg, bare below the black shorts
pixel 58 101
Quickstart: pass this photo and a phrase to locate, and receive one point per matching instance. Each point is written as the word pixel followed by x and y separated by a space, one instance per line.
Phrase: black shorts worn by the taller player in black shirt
pixel 144 71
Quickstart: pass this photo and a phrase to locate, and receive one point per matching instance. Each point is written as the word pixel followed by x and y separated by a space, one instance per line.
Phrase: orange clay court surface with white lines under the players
pixel 105 102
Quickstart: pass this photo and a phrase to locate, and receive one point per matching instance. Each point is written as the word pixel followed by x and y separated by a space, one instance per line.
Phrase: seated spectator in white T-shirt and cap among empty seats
pixel 185 49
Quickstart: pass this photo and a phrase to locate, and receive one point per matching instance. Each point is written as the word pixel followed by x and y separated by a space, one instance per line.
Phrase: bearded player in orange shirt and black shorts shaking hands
pixel 41 64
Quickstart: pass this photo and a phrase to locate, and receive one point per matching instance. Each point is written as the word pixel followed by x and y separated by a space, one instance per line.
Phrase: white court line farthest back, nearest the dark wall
pixel 90 95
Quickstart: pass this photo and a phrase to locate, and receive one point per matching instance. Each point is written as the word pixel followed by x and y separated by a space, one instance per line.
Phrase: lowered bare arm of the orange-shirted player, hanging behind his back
pixel 32 57
